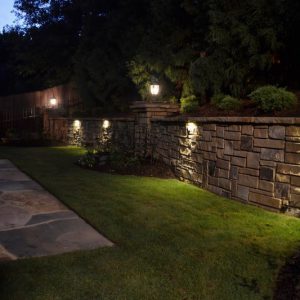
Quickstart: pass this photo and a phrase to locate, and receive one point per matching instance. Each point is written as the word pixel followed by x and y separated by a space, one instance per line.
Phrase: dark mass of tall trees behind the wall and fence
pixel 111 49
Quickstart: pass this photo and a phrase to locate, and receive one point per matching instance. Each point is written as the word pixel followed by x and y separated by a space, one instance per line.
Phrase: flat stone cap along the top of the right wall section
pixel 242 120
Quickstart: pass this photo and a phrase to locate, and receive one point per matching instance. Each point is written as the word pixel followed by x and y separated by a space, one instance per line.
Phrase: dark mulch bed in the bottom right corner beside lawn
pixel 288 281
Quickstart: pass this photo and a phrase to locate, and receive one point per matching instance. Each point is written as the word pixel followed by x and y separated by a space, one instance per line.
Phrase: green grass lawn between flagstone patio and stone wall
pixel 173 240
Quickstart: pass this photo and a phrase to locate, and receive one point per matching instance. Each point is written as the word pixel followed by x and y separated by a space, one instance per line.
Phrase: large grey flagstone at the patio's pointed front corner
pixel 52 238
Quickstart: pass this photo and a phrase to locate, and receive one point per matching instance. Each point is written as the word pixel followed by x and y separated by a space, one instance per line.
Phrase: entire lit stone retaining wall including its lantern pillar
pixel 254 160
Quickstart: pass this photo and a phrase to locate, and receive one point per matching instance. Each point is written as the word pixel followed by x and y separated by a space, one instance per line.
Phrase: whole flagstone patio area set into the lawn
pixel 34 223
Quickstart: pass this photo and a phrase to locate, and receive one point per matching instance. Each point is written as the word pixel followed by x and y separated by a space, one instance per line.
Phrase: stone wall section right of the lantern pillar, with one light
pixel 255 160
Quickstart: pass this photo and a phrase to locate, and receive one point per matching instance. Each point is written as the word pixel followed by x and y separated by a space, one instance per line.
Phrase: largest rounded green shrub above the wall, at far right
pixel 271 98
